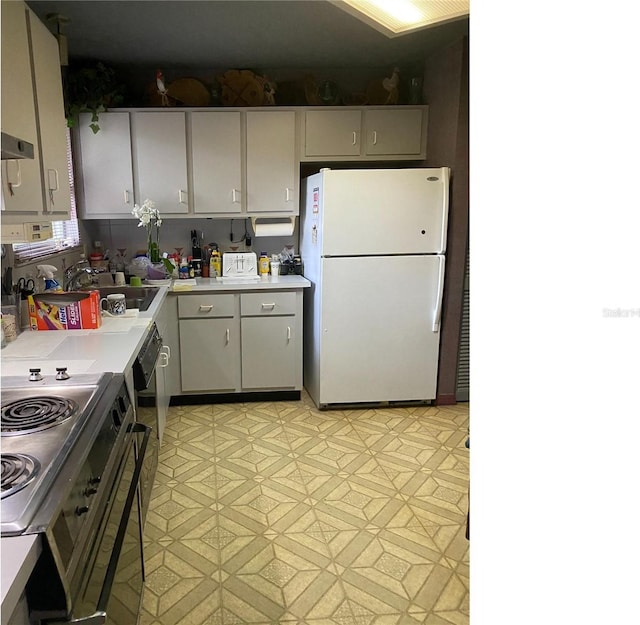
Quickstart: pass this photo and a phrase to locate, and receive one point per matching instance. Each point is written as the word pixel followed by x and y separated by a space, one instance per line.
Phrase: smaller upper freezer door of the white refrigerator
pixel 383 211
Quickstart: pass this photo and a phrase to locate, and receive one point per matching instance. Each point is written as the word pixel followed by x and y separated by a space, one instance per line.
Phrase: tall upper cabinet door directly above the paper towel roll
pixel 272 168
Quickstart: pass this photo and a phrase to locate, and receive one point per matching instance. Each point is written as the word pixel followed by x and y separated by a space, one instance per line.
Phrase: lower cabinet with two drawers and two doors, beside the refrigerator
pixel 240 342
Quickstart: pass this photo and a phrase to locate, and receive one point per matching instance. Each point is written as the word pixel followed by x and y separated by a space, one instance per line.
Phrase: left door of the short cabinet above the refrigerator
pixel 332 133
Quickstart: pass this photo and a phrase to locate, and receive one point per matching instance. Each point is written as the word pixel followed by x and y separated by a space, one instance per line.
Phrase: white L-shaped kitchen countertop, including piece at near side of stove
pixel 112 347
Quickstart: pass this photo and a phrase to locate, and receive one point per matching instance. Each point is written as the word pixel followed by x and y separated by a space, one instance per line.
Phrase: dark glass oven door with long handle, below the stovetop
pixel 112 582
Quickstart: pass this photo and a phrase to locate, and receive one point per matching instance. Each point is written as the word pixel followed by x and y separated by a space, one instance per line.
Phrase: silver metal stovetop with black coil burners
pixel 41 422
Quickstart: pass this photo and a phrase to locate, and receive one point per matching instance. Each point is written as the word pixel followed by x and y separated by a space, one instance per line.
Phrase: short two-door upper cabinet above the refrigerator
pixel 365 134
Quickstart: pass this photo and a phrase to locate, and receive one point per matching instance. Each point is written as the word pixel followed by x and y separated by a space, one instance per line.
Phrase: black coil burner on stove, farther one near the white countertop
pixel 33 414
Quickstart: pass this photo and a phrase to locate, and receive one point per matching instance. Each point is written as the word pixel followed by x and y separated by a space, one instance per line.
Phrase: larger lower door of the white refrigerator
pixel 379 332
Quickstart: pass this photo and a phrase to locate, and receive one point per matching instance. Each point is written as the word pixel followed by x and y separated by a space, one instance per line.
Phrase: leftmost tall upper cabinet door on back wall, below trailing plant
pixel 105 160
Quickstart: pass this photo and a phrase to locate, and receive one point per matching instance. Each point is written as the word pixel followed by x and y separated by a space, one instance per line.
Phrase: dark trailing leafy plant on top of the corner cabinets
pixel 90 89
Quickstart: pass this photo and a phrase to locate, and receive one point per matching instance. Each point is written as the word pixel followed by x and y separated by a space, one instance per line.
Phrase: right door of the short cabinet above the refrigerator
pixel 393 131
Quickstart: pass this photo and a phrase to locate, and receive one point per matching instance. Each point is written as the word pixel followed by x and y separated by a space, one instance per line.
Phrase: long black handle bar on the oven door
pixel 99 617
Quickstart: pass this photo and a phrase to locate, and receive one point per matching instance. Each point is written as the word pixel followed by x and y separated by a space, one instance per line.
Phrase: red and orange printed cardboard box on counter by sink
pixel 73 310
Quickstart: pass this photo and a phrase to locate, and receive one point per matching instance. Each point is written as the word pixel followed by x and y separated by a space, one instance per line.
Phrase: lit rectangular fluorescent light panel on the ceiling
pixel 398 17
